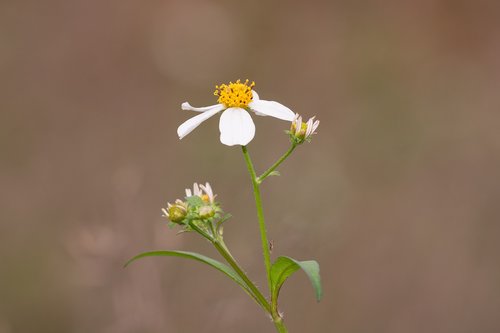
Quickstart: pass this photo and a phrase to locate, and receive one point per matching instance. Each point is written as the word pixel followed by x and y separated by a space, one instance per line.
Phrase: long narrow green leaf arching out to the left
pixel 198 257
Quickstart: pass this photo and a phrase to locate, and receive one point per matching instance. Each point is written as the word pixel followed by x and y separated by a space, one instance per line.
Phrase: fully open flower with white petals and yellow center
pixel 236 126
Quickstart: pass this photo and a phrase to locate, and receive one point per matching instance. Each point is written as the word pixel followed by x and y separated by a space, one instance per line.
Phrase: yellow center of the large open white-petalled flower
pixel 237 94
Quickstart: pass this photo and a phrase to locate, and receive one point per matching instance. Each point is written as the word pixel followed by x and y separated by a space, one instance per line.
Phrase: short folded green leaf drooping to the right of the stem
pixel 283 267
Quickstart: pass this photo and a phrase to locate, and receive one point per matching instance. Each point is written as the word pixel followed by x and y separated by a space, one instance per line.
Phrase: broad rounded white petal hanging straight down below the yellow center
pixel 236 127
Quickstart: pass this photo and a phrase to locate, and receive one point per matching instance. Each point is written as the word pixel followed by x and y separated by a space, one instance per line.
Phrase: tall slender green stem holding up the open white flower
pixel 260 216
